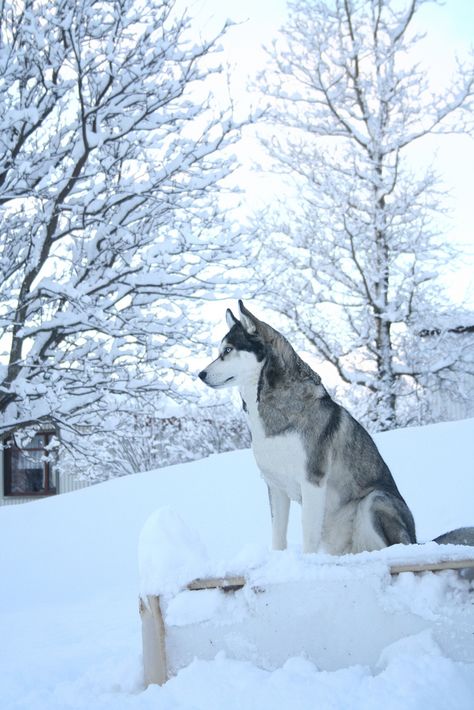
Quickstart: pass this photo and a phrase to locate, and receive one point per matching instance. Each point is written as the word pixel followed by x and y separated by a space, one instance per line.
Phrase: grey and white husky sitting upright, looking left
pixel 308 448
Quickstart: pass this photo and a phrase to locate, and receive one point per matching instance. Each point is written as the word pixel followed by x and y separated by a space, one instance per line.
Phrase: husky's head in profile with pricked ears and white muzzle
pixel 242 351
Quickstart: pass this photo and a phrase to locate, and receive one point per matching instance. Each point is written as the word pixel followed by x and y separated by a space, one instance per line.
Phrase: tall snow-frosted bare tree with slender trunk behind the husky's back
pixel 359 255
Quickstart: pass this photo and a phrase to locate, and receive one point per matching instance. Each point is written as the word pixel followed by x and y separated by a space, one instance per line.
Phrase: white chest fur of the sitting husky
pixel 280 457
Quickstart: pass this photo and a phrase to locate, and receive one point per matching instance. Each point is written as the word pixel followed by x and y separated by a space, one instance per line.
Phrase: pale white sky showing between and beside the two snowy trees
pixel 449 30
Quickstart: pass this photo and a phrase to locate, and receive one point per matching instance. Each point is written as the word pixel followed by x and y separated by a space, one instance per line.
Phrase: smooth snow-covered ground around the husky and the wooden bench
pixel 70 635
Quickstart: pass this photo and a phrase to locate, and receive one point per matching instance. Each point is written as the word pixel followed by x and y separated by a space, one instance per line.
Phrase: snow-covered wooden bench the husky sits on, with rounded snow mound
pixel 336 611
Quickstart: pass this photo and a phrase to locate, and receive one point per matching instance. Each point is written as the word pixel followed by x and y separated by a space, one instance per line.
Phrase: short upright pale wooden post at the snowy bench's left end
pixel 155 664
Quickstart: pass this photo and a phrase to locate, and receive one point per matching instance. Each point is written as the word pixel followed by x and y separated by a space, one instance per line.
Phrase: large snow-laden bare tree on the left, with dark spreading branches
pixel 111 153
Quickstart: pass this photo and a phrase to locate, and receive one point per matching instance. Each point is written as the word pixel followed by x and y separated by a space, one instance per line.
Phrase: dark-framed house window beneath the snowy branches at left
pixel 27 470
